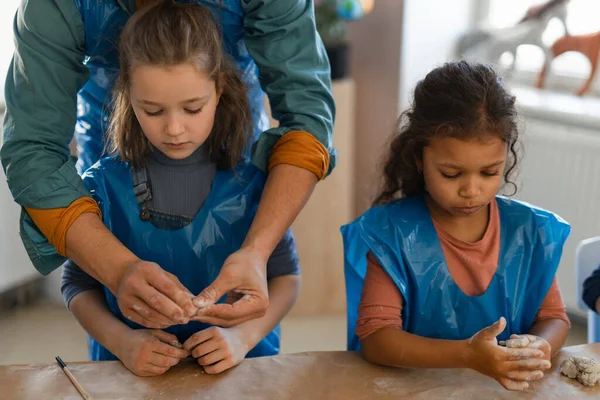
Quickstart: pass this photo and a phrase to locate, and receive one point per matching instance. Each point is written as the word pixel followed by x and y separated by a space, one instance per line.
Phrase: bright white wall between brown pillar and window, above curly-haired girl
pixel 430 28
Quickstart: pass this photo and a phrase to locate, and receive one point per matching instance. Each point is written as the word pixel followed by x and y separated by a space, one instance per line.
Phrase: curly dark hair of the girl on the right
pixel 460 99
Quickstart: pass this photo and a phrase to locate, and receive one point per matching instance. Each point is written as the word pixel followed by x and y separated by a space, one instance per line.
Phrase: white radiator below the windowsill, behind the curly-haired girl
pixel 561 173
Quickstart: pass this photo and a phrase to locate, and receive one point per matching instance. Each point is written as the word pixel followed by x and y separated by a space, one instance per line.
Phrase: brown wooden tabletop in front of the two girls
pixel 313 376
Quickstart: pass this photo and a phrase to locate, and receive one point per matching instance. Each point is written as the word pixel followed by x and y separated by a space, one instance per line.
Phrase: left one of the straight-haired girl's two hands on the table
pixel 148 352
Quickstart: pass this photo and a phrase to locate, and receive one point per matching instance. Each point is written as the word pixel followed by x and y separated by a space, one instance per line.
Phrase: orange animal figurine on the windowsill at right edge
pixel 588 45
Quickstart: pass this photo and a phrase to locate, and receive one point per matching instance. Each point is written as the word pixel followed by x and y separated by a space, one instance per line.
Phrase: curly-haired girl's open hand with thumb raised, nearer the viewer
pixel 511 367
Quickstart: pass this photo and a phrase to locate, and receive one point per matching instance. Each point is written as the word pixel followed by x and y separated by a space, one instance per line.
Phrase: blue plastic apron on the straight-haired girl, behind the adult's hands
pixel 194 253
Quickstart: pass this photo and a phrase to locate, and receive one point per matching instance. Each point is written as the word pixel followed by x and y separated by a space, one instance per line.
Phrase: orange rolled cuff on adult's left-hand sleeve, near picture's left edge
pixel 55 222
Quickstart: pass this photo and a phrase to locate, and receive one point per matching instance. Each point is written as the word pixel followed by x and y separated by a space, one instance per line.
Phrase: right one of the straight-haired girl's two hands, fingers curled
pixel 217 349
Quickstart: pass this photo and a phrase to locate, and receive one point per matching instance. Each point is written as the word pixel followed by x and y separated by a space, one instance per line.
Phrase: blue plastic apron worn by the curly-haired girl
pixel 402 237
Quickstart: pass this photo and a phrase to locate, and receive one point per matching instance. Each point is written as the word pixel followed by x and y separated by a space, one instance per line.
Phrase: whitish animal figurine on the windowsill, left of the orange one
pixel 488 45
